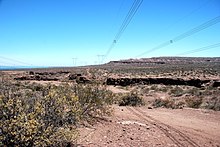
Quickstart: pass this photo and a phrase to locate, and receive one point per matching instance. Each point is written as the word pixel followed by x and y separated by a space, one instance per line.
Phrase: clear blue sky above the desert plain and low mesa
pixel 53 32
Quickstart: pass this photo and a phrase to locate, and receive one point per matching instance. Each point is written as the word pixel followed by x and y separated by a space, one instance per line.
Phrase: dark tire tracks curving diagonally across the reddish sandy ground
pixel 176 136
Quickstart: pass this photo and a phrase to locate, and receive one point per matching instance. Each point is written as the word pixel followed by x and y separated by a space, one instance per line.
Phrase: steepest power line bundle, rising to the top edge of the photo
pixel 135 6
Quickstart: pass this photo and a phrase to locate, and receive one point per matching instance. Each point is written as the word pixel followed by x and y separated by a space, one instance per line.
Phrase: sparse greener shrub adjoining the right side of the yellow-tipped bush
pixel 94 101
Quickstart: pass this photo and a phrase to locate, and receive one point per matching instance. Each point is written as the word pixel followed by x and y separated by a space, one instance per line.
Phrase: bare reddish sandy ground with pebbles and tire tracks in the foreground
pixel 139 126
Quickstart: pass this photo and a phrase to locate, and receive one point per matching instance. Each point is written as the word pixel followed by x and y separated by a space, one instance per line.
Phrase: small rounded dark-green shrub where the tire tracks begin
pixel 131 99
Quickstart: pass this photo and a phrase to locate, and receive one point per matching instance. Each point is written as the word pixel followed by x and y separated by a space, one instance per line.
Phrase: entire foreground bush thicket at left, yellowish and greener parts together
pixel 47 117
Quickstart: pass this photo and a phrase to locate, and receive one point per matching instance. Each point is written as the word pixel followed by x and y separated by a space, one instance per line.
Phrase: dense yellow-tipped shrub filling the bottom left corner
pixel 27 120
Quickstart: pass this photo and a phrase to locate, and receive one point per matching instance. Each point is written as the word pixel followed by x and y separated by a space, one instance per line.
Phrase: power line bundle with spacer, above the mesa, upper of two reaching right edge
pixel 184 35
